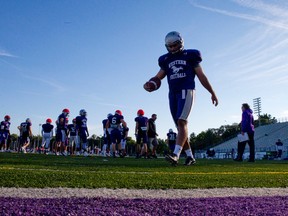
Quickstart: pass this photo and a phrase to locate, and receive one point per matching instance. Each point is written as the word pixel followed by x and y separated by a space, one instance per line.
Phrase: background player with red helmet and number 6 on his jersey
pixel 114 122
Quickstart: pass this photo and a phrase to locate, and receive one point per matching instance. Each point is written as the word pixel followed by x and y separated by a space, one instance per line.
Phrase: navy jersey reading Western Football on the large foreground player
pixel 179 69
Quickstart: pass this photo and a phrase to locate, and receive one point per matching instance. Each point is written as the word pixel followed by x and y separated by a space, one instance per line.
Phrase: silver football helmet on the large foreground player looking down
pixel 174 39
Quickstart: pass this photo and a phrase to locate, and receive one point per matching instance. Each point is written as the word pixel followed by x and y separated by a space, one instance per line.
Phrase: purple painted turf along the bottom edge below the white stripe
pixel 102 206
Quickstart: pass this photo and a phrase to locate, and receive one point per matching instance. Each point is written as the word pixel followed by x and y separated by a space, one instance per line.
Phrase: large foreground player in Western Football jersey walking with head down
pixel 181 66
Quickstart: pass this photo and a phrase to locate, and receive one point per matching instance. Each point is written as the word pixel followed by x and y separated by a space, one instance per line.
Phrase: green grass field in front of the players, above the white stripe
pixel 39 171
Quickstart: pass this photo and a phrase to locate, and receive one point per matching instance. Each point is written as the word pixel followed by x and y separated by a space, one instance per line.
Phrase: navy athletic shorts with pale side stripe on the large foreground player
pixel 181 104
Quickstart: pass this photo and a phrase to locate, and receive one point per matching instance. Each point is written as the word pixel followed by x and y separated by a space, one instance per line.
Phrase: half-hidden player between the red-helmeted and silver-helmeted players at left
pixel 73 137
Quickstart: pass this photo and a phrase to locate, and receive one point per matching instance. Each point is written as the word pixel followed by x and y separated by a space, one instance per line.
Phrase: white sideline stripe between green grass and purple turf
pixel 144 193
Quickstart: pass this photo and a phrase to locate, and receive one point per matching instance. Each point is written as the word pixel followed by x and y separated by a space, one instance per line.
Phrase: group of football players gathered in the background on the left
pixel 71 139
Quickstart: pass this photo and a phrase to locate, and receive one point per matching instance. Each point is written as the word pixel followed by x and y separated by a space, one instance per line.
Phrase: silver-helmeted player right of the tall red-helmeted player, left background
pixel 81 122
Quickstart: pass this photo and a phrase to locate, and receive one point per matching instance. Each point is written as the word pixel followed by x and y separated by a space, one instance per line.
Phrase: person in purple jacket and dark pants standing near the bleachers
pixel 247 126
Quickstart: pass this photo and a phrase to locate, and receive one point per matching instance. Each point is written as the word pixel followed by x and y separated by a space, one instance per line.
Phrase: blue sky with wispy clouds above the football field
pixel 96 55
